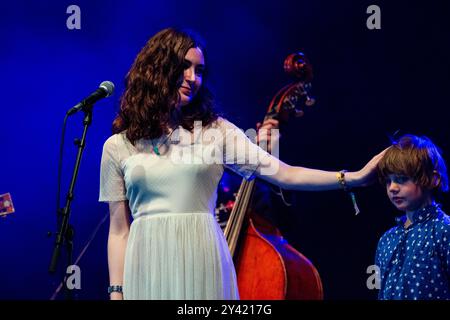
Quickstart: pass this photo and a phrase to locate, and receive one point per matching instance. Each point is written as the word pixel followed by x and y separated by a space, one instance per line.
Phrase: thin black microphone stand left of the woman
pixel 66 231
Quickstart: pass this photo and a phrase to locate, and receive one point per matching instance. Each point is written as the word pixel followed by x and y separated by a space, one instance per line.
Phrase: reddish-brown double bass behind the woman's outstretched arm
pixel 267 267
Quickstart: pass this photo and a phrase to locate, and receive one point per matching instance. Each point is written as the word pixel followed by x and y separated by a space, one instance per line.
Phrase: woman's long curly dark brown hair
pixel 147 107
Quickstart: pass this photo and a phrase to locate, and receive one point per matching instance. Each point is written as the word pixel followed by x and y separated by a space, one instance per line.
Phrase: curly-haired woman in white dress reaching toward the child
pixel 162 168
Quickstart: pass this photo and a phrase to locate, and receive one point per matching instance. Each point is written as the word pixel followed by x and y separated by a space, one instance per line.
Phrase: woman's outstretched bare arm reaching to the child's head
pixel 300 178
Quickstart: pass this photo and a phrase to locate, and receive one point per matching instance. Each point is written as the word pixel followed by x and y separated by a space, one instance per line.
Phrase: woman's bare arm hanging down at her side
pixel 119 228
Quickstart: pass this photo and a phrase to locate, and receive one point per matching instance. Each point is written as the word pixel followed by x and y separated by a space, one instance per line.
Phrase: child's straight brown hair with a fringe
pixel 417 158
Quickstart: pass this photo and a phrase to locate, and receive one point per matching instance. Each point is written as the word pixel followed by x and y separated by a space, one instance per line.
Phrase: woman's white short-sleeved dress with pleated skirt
pixel 176 249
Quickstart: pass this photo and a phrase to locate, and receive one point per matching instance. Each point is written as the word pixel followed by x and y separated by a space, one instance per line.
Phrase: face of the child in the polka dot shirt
pixel 405 194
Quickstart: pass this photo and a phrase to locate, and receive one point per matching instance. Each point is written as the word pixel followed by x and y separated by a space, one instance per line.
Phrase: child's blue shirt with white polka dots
pixel 415 262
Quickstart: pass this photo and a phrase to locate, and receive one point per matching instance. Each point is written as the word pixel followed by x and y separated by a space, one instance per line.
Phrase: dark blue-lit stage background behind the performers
pixel 368 84
